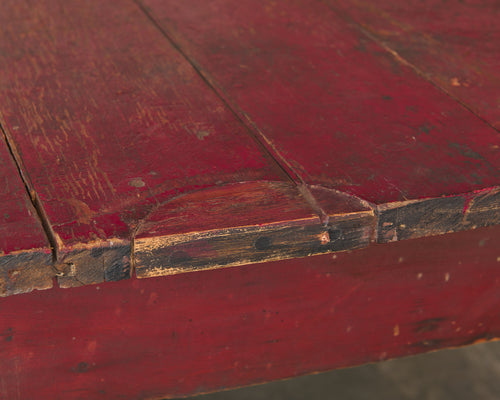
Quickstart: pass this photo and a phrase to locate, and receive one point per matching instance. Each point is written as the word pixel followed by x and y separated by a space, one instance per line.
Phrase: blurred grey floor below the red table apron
pixel 470 373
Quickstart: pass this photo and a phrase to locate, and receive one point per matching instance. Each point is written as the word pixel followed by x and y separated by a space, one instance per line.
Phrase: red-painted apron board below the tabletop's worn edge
pixel 230 327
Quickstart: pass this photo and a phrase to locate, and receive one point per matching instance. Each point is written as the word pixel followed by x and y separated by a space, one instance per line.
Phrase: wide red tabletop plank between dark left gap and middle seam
pixel 112 123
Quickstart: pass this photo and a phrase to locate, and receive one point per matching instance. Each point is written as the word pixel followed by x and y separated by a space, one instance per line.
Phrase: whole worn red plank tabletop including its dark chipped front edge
pixel 154 137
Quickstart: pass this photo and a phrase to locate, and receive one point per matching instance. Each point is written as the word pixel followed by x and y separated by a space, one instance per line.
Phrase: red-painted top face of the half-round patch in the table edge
pixel 240 204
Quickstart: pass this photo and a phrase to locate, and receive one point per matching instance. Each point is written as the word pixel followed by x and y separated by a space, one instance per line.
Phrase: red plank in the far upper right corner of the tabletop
pixel 453 44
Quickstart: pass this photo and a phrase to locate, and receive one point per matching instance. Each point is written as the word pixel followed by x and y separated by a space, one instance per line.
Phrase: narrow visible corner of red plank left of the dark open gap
pixel 25 254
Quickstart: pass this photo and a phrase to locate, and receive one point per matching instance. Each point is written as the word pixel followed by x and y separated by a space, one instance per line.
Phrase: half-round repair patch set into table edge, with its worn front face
pixel 243 224
